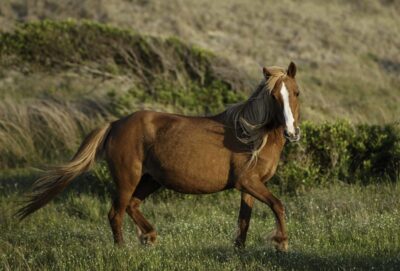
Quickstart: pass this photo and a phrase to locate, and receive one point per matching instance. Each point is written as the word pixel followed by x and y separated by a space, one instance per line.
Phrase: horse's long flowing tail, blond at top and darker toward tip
pixel 57 178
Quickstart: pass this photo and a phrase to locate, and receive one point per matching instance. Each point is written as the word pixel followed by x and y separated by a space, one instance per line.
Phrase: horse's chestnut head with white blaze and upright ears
pixel 286 92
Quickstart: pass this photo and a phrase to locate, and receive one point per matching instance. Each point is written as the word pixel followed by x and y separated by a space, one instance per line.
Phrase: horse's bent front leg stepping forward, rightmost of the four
pixel 258 190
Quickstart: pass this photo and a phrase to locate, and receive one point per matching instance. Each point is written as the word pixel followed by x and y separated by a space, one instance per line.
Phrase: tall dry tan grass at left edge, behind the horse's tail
pixel 33 131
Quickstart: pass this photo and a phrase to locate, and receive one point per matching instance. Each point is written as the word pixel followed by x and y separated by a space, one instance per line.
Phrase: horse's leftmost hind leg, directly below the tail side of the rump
pixel 126 181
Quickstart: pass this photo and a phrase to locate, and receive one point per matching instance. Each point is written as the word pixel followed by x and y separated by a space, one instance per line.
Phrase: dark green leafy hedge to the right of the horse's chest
pixel 340 152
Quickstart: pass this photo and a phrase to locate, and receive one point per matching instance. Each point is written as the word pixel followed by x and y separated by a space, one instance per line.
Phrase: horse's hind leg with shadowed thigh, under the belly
pixel 146 186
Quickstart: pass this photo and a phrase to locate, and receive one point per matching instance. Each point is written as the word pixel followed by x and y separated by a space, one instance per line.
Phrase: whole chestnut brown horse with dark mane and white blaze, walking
pixel 238 148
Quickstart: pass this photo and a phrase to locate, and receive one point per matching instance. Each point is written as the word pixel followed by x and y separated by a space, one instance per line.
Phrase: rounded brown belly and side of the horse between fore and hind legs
pixel 189 156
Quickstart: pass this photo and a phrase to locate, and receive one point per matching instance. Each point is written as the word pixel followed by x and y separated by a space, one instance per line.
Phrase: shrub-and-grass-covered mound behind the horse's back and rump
pixel 60 79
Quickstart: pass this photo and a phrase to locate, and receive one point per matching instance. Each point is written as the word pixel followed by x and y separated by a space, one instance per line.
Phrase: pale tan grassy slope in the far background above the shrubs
pixel 347 51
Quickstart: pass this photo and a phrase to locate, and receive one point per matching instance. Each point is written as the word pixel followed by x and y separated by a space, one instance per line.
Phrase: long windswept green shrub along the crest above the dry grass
pixel 67 44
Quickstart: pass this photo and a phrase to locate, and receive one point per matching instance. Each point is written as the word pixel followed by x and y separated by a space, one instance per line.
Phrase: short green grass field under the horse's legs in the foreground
pixel 339 227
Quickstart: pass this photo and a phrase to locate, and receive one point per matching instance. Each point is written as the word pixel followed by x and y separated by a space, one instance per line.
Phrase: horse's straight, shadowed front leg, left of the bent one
pixel 246 206
